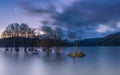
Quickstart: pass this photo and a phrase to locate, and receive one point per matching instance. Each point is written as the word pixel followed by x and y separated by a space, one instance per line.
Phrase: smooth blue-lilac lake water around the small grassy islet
pixel 98 61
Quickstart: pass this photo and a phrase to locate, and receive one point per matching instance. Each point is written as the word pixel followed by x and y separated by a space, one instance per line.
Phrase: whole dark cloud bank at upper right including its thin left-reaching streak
pixel 82 15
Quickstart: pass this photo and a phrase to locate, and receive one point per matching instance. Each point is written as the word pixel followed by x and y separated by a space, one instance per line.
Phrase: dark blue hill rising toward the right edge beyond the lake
pixel 110 40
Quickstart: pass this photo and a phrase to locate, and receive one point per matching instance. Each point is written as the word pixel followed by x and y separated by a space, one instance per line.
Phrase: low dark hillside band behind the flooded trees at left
pixel 31 42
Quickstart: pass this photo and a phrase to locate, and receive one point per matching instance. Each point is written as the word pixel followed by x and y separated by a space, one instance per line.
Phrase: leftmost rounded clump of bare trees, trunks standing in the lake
pixel 14 32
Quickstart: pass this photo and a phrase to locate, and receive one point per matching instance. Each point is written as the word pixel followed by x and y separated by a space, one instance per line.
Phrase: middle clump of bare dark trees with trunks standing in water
pixel 55 36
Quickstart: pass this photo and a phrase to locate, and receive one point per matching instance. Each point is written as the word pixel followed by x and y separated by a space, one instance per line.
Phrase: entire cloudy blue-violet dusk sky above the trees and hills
pixel 89 18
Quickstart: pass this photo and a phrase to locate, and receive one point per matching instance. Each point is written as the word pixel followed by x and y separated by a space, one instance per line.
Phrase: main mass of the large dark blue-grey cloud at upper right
pixel 90 12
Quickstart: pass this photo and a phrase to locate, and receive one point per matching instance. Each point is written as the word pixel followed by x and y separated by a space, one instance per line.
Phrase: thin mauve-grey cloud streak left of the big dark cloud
pixel 27 5
